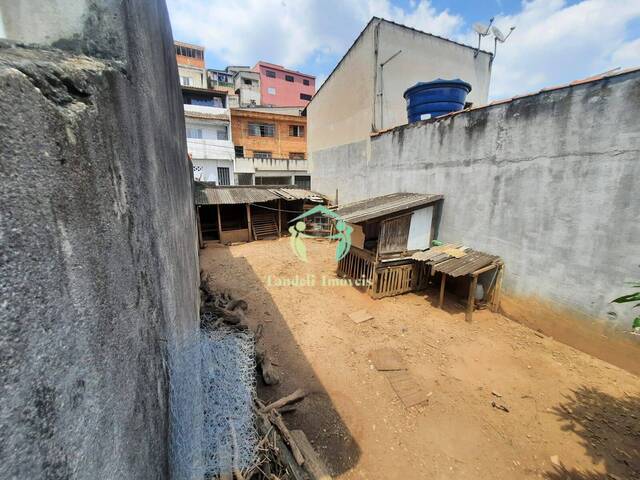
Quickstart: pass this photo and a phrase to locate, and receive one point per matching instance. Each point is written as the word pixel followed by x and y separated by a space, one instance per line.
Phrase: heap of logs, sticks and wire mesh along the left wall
pixel 280 454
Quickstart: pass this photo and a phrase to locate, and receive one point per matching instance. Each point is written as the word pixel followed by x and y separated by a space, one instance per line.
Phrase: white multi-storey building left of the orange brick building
pixel 209 140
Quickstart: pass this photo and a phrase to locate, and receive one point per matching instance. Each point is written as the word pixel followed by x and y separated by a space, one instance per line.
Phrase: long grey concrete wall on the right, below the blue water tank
pixel 549 182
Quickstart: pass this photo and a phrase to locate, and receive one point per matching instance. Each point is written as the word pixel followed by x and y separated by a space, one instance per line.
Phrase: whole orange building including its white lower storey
pixel 270 148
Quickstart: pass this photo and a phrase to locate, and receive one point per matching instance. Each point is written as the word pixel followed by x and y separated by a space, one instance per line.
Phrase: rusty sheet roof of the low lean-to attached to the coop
pixel 444 262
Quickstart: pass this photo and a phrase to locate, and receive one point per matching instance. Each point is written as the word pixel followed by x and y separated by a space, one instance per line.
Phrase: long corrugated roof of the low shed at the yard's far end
pixel 211 194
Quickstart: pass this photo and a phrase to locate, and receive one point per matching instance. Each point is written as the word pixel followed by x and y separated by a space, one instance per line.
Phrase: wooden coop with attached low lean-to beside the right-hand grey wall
pixel 391 251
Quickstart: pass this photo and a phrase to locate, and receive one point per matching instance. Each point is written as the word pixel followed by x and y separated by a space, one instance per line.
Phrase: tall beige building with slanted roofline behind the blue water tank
pixel 364 92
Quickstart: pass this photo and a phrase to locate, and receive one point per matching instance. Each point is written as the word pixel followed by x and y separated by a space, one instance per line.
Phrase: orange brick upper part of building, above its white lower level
pixel 262 134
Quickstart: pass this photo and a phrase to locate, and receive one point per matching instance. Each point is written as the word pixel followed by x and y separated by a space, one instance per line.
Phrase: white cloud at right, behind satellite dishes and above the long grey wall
pixel 555 43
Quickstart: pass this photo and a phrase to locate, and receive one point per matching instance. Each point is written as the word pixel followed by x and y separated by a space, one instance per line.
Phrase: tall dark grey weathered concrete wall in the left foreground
pixel 98 270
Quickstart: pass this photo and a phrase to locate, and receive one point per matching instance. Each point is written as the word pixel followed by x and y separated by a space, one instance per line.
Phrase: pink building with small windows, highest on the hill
pixel 281 87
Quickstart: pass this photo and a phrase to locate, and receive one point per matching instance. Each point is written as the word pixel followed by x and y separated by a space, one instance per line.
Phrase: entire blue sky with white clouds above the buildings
pixel 555 41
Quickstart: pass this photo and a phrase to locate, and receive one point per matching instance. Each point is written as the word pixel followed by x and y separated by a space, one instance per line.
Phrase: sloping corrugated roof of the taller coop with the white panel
pixel 385 205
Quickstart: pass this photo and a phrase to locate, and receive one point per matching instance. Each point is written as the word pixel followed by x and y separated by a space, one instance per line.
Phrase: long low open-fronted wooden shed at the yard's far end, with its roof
pixel 230 214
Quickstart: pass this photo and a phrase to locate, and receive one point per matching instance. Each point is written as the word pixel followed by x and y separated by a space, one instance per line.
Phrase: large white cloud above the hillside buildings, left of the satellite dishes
pixel 291 32
